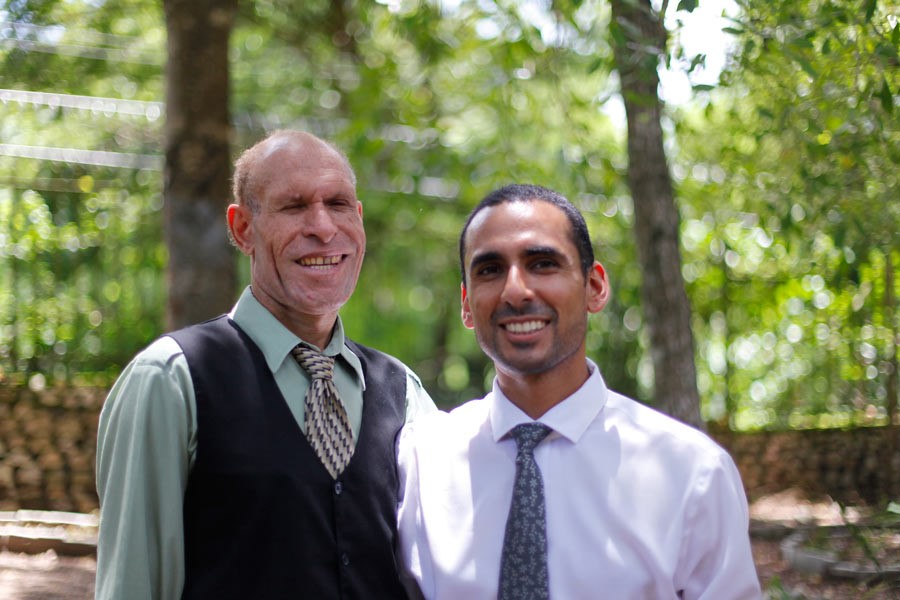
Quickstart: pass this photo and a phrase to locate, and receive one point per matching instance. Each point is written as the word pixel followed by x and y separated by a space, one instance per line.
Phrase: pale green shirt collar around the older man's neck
pixel 276 341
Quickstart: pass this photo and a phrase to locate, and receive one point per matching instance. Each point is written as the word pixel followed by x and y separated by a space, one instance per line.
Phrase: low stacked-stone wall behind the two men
pixel 48 442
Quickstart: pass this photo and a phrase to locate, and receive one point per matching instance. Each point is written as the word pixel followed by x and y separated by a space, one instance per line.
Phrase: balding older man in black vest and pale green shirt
pixel 253 455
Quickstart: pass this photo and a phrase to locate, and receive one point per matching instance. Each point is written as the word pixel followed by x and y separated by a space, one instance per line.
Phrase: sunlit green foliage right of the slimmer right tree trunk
pixel 792 224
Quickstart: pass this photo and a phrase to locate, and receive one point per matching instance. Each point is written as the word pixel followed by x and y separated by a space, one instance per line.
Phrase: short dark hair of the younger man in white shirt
pixel 531 193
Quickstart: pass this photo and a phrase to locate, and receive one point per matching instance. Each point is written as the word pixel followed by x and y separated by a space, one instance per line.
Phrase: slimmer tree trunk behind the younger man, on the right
pixel 639 40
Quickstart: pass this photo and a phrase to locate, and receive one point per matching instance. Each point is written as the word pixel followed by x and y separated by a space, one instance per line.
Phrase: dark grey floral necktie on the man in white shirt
pixel 523 566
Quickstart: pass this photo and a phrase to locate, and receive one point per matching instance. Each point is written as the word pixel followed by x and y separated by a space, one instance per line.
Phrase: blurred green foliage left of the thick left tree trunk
pixel 81 253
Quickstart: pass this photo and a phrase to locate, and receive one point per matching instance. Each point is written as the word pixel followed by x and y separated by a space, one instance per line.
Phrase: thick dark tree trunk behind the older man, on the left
pixel 202 275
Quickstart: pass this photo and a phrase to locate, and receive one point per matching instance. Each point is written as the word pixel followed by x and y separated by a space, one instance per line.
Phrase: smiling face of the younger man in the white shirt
pixel 526 295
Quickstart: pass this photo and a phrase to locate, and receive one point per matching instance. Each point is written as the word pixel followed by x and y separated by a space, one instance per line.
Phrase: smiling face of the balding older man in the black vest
pixel 305 236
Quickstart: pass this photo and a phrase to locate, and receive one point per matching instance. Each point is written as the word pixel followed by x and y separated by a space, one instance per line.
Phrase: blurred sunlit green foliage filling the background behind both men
pixel 786 179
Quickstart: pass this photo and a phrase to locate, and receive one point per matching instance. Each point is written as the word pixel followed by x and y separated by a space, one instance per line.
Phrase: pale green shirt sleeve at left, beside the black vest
pixel 145 442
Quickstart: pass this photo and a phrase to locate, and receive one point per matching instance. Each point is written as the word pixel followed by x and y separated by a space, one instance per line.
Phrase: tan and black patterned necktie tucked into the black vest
pixel 327 426
